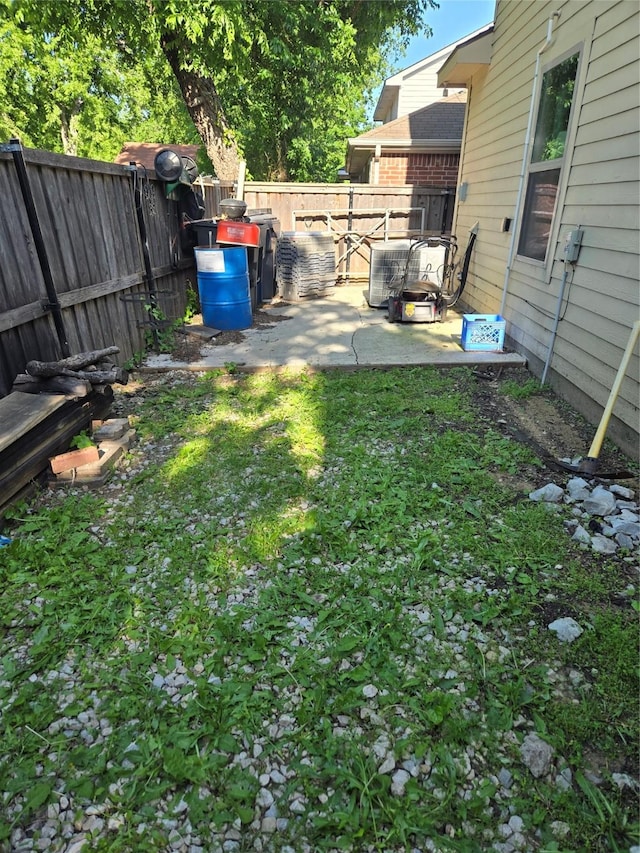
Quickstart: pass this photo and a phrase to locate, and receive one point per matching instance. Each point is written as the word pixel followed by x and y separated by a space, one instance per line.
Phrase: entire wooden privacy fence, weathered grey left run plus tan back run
pixel 87 247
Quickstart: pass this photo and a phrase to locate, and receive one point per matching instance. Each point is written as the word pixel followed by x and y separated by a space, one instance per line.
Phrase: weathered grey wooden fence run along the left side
pixel 85 248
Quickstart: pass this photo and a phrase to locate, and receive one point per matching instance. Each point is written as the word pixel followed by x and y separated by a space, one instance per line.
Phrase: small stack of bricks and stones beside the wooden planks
pixel 91 466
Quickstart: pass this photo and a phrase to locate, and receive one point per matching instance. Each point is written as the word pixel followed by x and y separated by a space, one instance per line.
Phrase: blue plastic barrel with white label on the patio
pixel 223 285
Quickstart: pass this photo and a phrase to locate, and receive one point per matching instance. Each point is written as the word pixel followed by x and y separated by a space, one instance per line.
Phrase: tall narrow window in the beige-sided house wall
pixel 547 157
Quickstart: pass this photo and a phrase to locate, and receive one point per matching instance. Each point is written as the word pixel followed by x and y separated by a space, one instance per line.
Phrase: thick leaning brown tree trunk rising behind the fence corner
pixel 206 111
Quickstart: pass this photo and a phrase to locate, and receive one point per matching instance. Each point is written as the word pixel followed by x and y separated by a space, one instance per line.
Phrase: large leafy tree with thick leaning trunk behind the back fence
pixel 272 77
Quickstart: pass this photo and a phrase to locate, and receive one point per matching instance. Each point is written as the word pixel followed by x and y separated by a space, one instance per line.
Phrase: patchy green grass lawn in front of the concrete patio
pixel 292 541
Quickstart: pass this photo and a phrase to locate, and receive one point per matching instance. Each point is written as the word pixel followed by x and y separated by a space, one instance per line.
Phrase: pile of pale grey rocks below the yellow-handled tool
pixel 605 518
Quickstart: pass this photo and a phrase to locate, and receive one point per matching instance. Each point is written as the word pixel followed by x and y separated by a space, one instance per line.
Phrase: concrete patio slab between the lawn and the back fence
pixel 337 330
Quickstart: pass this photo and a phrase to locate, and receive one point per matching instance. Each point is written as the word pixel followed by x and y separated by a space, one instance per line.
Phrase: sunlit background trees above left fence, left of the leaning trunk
pixel 79 94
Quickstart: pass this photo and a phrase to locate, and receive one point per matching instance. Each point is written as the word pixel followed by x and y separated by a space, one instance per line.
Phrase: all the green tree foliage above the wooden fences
pixel 292 78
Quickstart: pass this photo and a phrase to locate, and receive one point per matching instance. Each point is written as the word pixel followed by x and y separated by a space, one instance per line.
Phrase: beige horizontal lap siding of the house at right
pixel 599 191
